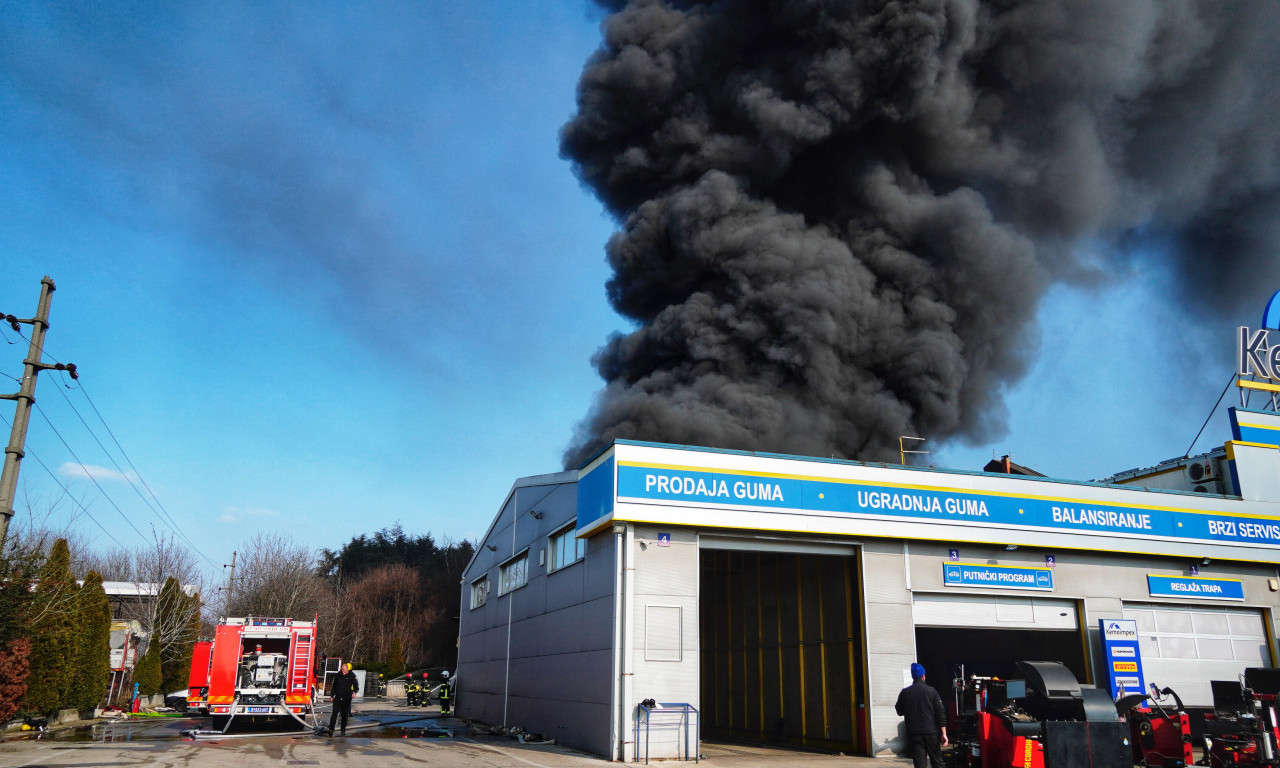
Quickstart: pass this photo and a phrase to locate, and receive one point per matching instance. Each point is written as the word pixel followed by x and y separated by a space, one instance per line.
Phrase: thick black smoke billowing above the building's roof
pixel 838 218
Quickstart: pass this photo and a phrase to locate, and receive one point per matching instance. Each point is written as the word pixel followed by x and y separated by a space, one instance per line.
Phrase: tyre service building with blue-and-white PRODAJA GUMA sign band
pixel 783 598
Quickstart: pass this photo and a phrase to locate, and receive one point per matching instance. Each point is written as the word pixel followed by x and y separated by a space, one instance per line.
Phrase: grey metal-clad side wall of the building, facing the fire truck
pixel 555 674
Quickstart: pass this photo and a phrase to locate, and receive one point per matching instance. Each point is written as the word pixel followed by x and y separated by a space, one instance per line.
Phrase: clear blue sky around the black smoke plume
pixel 323 271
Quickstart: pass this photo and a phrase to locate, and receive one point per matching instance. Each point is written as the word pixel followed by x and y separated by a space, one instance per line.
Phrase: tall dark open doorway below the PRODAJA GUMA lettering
pixel 781 650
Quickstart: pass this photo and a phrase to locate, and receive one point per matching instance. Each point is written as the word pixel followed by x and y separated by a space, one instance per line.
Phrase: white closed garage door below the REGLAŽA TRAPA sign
pixel 1185 648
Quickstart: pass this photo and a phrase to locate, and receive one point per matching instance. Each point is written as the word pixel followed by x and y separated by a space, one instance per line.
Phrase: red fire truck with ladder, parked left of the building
pixel 262 670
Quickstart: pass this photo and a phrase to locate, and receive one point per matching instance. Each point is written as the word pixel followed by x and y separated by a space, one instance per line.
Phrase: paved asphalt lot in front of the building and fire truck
pixel 381 735
